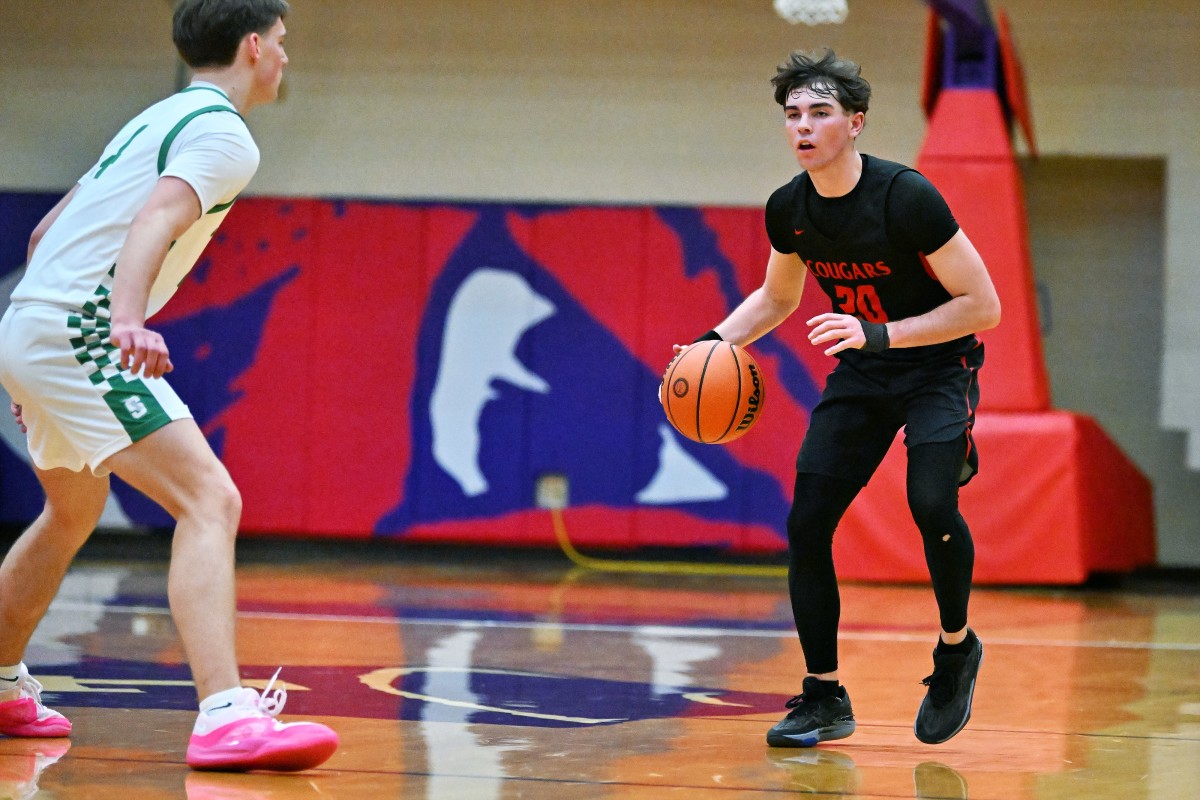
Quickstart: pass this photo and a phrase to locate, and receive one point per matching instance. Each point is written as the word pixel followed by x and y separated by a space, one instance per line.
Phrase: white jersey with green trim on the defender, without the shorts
pixel 196 136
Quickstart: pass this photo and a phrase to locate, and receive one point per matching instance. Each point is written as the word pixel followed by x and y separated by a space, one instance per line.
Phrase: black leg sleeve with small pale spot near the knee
pixel 934 473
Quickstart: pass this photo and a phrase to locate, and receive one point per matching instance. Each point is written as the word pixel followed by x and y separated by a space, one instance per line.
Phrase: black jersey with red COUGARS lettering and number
pixel 867 249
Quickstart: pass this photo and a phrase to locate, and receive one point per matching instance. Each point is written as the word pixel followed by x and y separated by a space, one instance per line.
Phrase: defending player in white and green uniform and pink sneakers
pixel 87 381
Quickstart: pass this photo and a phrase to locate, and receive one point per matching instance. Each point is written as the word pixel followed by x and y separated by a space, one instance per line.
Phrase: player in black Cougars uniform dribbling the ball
pixel 909 294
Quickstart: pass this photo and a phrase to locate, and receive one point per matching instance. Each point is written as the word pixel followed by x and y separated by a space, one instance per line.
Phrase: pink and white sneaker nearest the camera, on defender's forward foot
pixel 248 737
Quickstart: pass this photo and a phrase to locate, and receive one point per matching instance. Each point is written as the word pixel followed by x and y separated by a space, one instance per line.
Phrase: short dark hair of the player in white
pixel 207 33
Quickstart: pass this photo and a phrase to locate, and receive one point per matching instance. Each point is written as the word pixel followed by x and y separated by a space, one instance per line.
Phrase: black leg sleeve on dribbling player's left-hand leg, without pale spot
pixel 818 504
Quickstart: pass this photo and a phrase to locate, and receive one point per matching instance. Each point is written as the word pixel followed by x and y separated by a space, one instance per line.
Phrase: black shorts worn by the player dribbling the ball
pixel 867 401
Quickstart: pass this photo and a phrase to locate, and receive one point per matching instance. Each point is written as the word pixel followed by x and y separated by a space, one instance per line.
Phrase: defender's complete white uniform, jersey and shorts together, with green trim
pixel 62 306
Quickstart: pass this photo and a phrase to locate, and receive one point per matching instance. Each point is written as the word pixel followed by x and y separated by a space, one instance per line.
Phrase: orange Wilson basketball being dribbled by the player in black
pixel 712 393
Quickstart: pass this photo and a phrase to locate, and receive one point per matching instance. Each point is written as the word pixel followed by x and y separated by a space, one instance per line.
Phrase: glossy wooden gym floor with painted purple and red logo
pixel 491 676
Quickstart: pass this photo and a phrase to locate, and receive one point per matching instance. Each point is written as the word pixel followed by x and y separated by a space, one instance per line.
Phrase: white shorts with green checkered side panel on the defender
pixel 79 405
